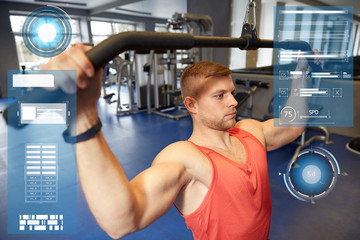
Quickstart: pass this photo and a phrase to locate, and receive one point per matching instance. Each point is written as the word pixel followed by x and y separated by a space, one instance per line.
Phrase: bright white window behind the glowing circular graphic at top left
pixel 25 56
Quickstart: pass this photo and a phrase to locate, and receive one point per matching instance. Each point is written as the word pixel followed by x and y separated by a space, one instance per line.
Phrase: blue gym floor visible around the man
pixel 136 139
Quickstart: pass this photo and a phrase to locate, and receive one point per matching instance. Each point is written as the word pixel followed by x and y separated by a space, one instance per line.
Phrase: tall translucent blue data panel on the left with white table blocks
pixel 41 166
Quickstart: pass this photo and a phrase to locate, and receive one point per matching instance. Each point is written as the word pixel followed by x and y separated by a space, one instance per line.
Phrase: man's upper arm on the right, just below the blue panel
pixel 276 137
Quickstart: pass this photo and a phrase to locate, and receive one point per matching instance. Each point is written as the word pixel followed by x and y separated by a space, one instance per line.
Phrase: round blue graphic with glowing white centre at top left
pixel 47 31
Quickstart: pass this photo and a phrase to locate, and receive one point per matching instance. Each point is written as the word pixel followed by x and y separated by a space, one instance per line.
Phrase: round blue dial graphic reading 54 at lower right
pixel 313 175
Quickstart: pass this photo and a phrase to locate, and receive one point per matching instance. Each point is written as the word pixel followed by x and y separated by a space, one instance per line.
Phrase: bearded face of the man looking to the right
pixel 216 103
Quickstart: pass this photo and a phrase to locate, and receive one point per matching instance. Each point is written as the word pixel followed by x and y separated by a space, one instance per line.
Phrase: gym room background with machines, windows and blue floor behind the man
pixel 125 107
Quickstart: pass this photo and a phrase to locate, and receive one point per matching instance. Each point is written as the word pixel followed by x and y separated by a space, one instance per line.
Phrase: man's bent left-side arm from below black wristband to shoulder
pixel 119 206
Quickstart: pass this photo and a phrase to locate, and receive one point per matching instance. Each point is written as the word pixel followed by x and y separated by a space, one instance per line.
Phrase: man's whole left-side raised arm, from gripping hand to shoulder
pixel 119 206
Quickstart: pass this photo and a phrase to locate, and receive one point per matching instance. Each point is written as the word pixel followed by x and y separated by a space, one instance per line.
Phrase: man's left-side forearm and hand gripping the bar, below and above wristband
pixel 106 188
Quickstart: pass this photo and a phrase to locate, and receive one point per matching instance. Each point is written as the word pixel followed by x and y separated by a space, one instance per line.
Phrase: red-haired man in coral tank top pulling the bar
pixel 217 179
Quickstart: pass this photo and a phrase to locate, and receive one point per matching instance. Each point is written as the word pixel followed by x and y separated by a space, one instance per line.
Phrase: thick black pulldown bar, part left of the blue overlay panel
pixel 116 44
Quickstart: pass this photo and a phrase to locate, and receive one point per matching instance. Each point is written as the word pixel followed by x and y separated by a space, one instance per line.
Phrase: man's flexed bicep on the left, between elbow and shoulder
pixel 155 190
